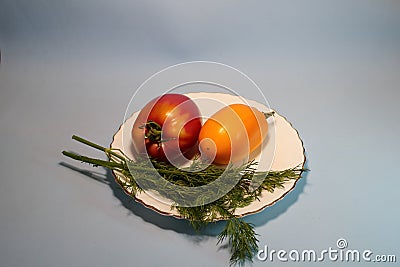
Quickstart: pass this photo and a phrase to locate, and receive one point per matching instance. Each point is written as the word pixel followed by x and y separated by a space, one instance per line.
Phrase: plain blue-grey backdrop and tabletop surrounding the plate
pixel 70 67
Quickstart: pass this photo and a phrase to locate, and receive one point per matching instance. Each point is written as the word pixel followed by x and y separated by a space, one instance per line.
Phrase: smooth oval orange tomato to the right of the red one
pixel 232 134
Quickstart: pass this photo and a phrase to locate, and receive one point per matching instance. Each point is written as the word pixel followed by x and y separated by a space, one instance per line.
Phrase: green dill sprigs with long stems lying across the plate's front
pixel 240 235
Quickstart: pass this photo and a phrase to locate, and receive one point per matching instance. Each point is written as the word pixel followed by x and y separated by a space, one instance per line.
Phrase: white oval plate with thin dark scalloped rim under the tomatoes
pixel 283 149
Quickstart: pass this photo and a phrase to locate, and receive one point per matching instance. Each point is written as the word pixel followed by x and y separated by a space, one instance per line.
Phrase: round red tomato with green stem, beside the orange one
pixel 167 128
